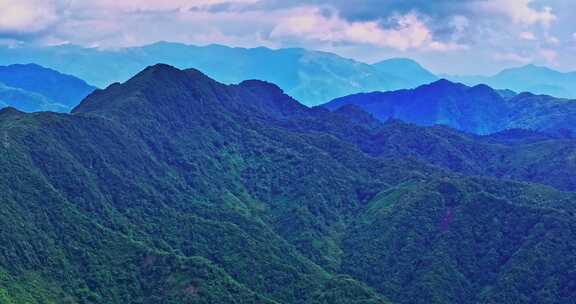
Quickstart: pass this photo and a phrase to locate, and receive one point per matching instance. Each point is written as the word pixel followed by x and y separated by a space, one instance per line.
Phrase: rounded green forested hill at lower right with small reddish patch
pixel 447 242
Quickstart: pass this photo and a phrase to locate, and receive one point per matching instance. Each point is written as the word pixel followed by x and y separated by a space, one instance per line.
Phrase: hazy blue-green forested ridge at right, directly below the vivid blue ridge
pixel 514 154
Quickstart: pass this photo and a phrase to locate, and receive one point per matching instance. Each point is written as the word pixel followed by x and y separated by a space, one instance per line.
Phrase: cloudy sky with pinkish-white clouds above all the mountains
pixel 450 36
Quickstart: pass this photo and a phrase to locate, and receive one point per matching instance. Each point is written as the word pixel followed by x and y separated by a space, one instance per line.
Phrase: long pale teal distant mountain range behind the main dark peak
pixel 309 76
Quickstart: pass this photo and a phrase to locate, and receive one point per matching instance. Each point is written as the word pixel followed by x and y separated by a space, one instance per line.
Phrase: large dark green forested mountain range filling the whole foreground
pixel 175 188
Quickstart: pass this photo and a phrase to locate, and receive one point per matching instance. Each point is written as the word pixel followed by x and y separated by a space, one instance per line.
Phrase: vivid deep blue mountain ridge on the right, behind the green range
pixel 479 109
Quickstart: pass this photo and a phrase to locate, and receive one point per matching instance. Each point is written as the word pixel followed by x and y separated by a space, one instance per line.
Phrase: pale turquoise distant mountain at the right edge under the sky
pixel 529 78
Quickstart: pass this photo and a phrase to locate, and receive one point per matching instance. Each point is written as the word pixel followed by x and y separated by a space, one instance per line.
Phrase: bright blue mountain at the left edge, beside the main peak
pixel 32 88
